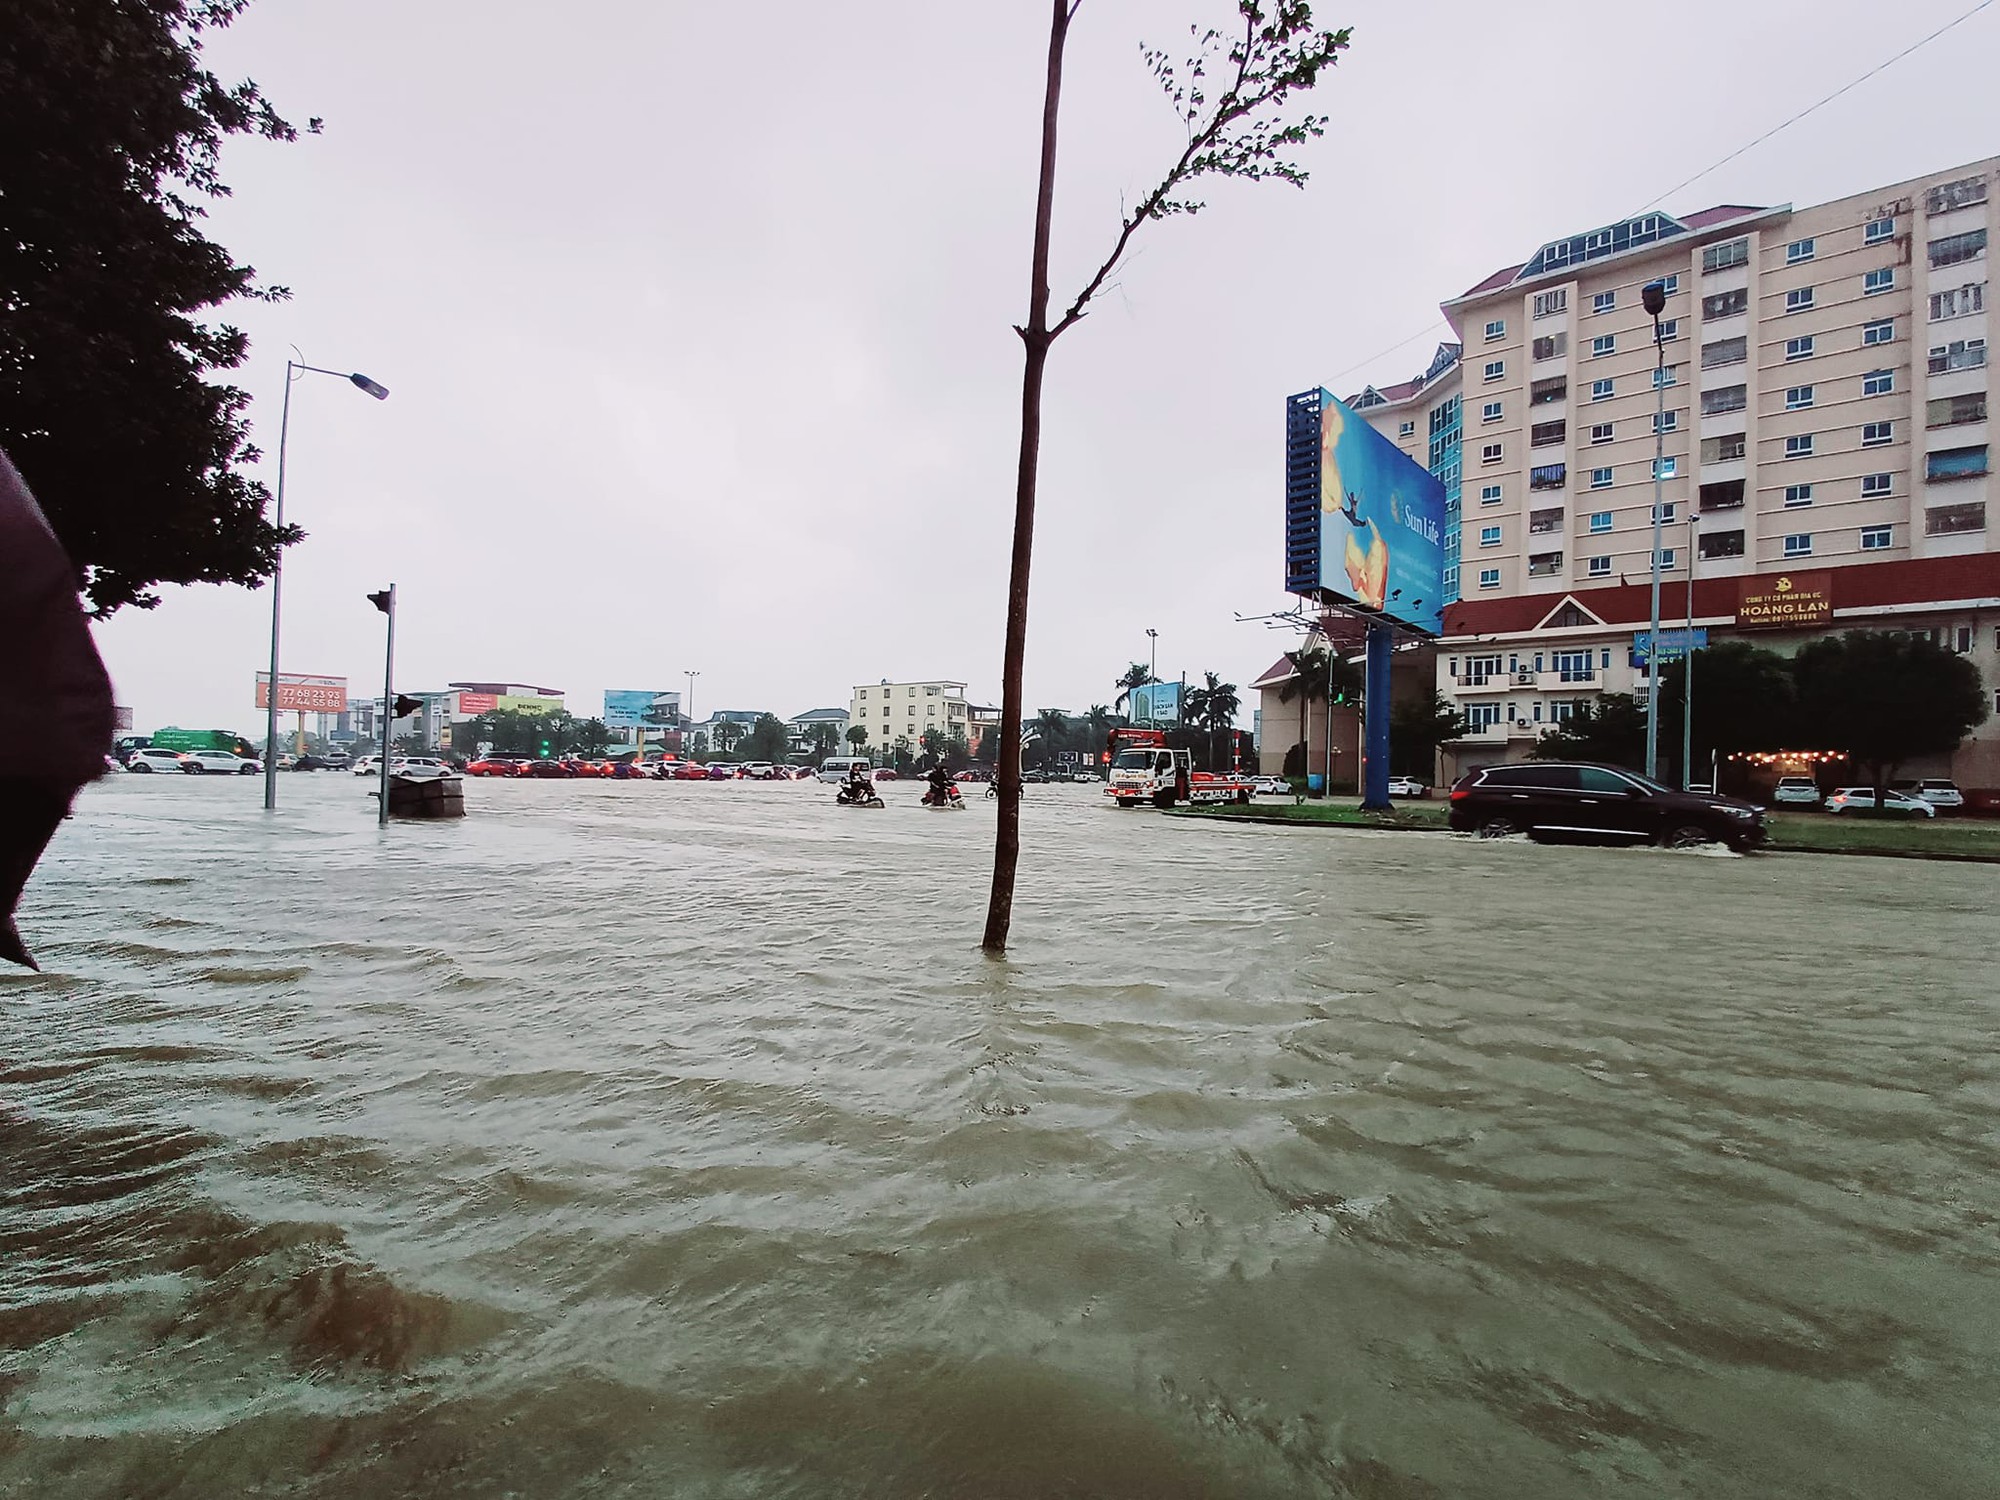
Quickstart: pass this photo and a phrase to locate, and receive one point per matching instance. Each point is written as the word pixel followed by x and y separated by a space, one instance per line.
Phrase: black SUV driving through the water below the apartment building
pixel 1603 803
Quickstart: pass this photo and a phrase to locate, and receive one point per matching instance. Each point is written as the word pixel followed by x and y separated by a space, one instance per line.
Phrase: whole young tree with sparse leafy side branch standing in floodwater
pixel 1231 99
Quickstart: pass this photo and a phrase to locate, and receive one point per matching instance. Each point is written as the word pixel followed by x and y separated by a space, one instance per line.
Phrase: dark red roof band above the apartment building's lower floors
pixel 1855 587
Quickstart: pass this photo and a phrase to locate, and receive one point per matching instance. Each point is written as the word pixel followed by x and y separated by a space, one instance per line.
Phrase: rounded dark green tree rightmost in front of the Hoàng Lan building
pixel 1885 697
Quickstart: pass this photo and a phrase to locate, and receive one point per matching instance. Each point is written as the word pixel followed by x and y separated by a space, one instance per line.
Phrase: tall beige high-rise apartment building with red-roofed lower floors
pixel 1821 421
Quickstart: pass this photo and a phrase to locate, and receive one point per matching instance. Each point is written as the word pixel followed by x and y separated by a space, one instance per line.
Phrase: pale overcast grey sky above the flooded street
pixel 697 317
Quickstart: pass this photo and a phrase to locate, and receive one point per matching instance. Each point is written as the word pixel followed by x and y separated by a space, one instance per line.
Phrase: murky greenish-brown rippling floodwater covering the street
pixel 677 1141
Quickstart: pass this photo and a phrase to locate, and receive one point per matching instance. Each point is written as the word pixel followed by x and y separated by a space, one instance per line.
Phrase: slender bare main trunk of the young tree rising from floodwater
pixel 1035 337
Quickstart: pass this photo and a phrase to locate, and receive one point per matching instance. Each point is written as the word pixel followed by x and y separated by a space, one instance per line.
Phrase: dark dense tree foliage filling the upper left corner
pixel 111 137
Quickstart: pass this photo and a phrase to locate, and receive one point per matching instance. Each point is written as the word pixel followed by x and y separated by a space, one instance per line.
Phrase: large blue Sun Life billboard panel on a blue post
pixel 1363 523
